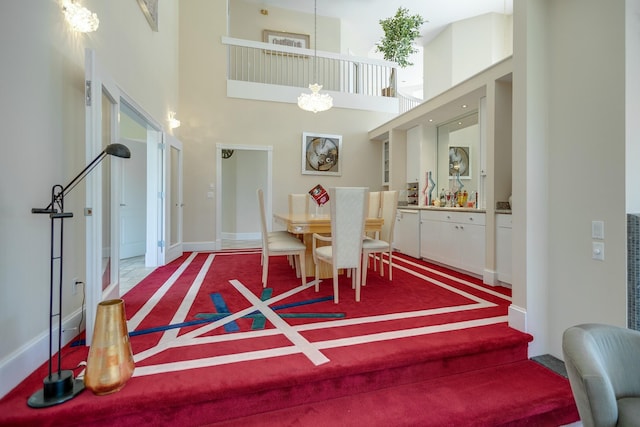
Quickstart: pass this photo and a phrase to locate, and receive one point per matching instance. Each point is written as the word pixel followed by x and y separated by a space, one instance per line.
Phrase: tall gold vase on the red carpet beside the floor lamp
pixel 110 361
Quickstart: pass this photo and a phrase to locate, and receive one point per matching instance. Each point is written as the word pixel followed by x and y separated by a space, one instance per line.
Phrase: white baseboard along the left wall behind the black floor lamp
pixel 26 359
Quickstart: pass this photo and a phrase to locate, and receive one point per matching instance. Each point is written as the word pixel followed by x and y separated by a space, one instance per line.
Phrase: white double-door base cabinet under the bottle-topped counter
pixel 453 238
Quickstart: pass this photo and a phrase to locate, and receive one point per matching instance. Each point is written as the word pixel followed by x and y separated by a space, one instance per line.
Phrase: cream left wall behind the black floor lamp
pixel 42 102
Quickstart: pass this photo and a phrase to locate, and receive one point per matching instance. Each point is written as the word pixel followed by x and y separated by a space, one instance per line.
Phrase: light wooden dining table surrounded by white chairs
pixel 307 224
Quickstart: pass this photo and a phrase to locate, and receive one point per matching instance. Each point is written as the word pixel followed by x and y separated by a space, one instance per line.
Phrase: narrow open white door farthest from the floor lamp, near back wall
pixel 174 201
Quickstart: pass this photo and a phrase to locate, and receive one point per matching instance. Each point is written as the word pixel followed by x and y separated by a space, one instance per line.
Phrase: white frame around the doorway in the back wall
pixel 218 193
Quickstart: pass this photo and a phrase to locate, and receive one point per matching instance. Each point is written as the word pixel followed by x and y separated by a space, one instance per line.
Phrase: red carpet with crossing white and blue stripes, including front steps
pixel 411 346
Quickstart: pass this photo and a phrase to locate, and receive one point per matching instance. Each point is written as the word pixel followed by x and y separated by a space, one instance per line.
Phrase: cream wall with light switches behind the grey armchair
pixel 568 147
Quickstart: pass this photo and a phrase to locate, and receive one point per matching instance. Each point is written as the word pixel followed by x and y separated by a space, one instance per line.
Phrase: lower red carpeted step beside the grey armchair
pixel 522 393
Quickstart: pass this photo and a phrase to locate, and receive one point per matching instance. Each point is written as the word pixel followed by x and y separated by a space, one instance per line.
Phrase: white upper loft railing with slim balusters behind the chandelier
pixel 258 62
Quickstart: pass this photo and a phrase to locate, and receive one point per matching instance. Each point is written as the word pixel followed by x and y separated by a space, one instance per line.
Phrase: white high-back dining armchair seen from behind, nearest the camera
pixel 344 248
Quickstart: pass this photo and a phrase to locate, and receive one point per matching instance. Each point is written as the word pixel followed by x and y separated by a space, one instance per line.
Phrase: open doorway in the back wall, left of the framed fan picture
pixel 240 171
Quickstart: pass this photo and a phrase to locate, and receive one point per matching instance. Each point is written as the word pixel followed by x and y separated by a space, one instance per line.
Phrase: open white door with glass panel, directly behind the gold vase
pixel 102 99
